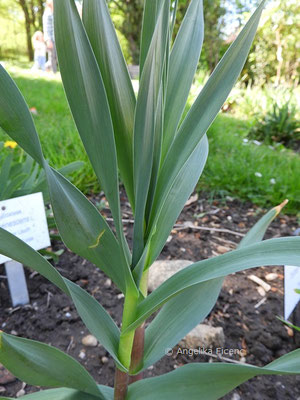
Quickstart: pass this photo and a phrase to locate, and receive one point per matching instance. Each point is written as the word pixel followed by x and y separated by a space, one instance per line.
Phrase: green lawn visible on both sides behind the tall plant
pixel 235 167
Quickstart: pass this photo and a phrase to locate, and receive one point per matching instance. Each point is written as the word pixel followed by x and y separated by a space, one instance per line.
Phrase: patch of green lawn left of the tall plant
pixel 60 141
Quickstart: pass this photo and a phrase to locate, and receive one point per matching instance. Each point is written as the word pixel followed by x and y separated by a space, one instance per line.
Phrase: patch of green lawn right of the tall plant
pixel 233 166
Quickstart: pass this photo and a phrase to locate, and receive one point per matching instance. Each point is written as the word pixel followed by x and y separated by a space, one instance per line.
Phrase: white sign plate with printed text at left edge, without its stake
pixel 25 218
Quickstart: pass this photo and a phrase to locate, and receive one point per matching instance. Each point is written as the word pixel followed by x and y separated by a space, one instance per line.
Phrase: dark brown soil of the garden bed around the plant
pixel 247 316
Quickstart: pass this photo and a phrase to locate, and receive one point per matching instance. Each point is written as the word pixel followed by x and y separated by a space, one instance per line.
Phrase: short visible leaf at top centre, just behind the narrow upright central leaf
pixel 151 12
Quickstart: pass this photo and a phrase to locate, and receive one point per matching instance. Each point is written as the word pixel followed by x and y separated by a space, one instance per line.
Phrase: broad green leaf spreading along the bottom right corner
pixel 209 381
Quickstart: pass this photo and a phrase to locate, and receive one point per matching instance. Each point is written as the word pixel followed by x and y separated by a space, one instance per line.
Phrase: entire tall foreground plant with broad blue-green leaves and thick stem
pixel 160 163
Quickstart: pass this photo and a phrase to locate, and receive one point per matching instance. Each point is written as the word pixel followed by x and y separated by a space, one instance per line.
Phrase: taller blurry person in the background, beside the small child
pixel 48 27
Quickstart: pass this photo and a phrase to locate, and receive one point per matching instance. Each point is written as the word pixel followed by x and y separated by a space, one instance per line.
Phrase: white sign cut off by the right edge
pixel 291 282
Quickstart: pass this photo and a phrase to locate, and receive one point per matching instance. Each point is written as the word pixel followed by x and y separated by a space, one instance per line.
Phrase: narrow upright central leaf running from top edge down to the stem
pixel 145 123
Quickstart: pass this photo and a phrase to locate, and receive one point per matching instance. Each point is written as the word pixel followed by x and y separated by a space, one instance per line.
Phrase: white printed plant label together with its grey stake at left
pixel 25 218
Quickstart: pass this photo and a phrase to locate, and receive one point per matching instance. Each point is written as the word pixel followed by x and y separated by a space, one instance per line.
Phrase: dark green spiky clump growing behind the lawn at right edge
pixel 279 125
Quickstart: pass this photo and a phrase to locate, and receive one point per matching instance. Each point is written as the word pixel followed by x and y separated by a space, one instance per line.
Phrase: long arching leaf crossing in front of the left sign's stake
pixel 97 320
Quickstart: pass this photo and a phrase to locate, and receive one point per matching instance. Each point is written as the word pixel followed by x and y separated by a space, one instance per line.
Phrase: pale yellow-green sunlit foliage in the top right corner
pixel 275 52
